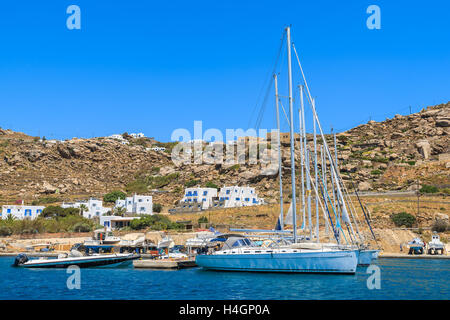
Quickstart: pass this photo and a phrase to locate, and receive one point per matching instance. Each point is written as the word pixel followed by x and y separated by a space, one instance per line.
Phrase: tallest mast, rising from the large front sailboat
pixel 291 116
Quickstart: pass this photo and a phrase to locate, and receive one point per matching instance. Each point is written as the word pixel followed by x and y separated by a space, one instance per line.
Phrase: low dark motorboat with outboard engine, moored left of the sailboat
pixel 78 259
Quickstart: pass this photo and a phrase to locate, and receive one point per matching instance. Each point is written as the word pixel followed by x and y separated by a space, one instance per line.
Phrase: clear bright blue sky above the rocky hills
pixel 154 66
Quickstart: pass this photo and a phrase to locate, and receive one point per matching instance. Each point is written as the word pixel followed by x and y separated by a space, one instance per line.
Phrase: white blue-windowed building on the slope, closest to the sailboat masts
pixel 239 196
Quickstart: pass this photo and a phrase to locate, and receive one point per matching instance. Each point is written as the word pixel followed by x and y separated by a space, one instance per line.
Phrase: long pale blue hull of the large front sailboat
pixel 343 262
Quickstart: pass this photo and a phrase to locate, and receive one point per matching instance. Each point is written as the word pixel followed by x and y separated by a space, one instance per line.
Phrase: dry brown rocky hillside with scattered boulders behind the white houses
pixel 388 155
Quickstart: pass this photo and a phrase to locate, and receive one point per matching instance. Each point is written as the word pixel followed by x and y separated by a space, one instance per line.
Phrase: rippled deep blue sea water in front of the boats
pixel 400 279
